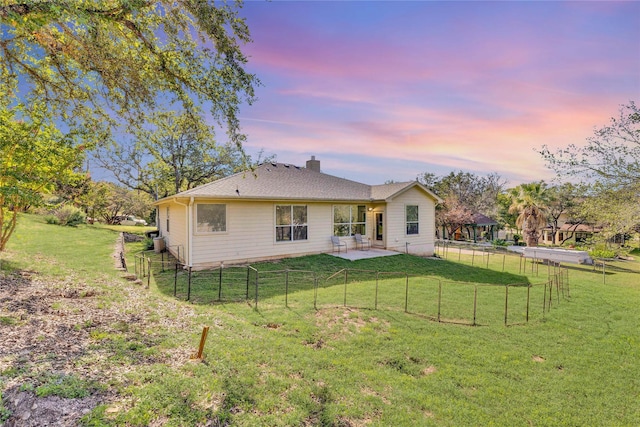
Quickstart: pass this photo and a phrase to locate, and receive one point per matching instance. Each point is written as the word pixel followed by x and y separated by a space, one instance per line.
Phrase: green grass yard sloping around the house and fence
pixel 338 365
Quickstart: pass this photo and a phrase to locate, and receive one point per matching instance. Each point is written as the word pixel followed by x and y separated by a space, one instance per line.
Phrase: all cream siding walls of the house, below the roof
pixel 250 234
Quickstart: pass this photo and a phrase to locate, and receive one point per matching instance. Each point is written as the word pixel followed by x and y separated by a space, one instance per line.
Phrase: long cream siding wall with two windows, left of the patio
pixel 250 234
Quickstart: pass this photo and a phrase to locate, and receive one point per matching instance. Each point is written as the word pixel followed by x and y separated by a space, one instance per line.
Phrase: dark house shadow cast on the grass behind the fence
pixel 284 278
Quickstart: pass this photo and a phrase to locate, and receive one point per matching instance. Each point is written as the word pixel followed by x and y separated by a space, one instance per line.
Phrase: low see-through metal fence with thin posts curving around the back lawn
pixel 427 296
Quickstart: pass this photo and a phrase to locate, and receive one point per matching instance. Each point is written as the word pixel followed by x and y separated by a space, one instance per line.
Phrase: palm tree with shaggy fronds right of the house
pixel 529 201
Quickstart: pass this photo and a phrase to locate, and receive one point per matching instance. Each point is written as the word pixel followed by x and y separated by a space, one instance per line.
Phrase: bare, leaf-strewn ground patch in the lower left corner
pixel 54 330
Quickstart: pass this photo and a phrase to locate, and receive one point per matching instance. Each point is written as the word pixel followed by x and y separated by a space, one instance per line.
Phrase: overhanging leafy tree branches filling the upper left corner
pixel 101 65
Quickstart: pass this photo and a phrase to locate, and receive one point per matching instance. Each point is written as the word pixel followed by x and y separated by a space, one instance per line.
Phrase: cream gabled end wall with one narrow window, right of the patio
pixel 397 238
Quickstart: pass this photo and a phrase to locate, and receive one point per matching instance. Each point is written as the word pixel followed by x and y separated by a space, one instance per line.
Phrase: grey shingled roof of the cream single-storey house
pixel 279 181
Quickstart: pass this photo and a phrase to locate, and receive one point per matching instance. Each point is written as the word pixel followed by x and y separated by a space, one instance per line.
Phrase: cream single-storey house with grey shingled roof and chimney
pixel 281 210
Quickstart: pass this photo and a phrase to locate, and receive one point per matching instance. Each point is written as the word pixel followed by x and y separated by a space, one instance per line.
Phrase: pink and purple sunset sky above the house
pixel 388 90
